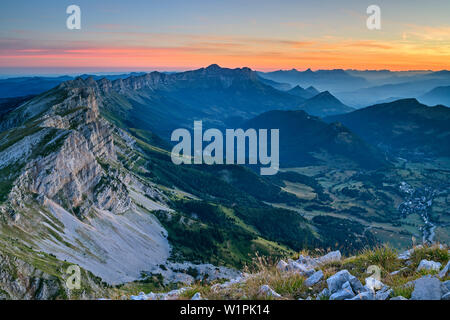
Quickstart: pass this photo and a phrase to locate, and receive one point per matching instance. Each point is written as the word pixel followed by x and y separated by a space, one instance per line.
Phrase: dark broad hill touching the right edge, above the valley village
pixel 405 127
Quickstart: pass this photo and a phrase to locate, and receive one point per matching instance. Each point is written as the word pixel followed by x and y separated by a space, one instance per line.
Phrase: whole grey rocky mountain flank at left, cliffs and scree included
pixel 65 195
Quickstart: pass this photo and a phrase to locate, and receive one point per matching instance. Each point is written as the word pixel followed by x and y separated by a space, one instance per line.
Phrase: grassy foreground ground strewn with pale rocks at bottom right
pixel 421 273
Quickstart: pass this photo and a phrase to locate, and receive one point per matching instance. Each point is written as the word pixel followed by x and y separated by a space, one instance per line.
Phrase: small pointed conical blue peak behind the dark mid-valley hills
pixel 324 104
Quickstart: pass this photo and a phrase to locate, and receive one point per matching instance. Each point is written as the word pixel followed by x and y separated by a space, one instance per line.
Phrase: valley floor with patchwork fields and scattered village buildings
pixel 409 201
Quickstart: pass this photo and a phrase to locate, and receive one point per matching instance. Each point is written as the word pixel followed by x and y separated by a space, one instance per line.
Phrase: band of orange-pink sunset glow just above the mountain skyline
pixel 256 54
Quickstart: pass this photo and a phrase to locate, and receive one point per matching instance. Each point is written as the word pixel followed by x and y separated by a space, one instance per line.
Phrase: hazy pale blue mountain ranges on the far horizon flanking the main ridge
pixel 355 88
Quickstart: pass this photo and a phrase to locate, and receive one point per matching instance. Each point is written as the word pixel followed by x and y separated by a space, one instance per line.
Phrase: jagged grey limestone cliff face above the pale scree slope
pixel 70 172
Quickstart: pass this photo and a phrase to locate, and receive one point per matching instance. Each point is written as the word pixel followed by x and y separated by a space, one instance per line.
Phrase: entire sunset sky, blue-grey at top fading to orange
pixel 145 35
